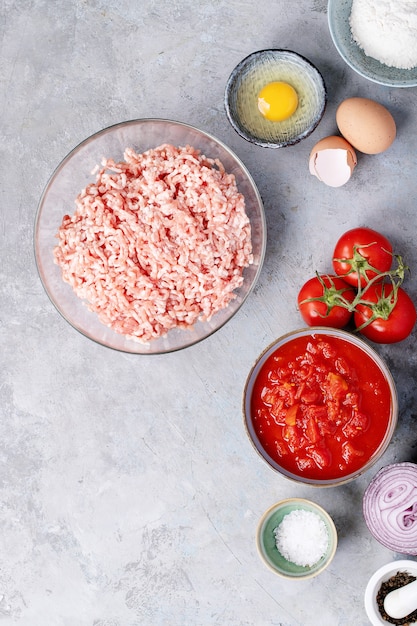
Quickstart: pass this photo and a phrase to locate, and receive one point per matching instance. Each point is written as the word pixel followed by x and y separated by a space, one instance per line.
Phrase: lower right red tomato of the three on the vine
pixel 392 326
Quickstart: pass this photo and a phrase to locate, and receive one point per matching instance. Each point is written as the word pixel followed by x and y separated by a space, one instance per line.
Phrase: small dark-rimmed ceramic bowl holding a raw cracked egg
pixel 275 98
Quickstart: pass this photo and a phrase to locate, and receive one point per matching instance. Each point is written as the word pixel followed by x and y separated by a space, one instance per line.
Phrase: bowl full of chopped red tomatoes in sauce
pixel 320 406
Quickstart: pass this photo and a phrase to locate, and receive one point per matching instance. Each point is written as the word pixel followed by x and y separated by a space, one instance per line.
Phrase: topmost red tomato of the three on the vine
pixel 360 254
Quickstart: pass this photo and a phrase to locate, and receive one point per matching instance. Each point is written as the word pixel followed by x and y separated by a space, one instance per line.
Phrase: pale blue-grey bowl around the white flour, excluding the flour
pixel 338 17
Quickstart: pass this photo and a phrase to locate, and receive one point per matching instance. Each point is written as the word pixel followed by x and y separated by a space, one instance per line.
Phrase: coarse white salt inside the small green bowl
pixel 302 537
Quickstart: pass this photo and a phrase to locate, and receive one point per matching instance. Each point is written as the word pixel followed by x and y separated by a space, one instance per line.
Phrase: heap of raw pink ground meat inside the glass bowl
pixel 159 241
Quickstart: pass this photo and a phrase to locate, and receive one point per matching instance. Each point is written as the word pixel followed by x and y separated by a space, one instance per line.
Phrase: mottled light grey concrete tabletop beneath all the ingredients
pixel 129 493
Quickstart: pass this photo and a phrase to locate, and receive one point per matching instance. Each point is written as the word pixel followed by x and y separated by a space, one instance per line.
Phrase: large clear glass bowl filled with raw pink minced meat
pixel 149 236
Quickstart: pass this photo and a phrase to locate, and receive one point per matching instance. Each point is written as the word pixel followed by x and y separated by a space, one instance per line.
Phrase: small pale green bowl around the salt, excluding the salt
pixel 266 543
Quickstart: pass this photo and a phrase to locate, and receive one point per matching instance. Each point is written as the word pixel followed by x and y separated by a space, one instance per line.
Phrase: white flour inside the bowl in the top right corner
pixel 386 30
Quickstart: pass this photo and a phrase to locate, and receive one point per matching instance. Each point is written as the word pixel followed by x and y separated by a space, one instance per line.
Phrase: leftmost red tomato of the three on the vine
pixel 318 301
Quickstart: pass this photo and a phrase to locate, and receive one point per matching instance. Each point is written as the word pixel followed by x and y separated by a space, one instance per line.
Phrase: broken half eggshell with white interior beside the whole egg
pixel 332 160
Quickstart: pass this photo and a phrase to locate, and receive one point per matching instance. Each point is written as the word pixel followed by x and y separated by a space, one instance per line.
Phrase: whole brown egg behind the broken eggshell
pixel 367 125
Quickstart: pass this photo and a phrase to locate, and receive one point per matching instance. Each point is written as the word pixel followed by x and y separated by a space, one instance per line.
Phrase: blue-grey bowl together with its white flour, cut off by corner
pixel 377 38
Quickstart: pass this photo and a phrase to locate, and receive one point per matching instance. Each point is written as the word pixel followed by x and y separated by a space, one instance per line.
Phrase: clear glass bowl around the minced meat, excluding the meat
pixel 76 171
